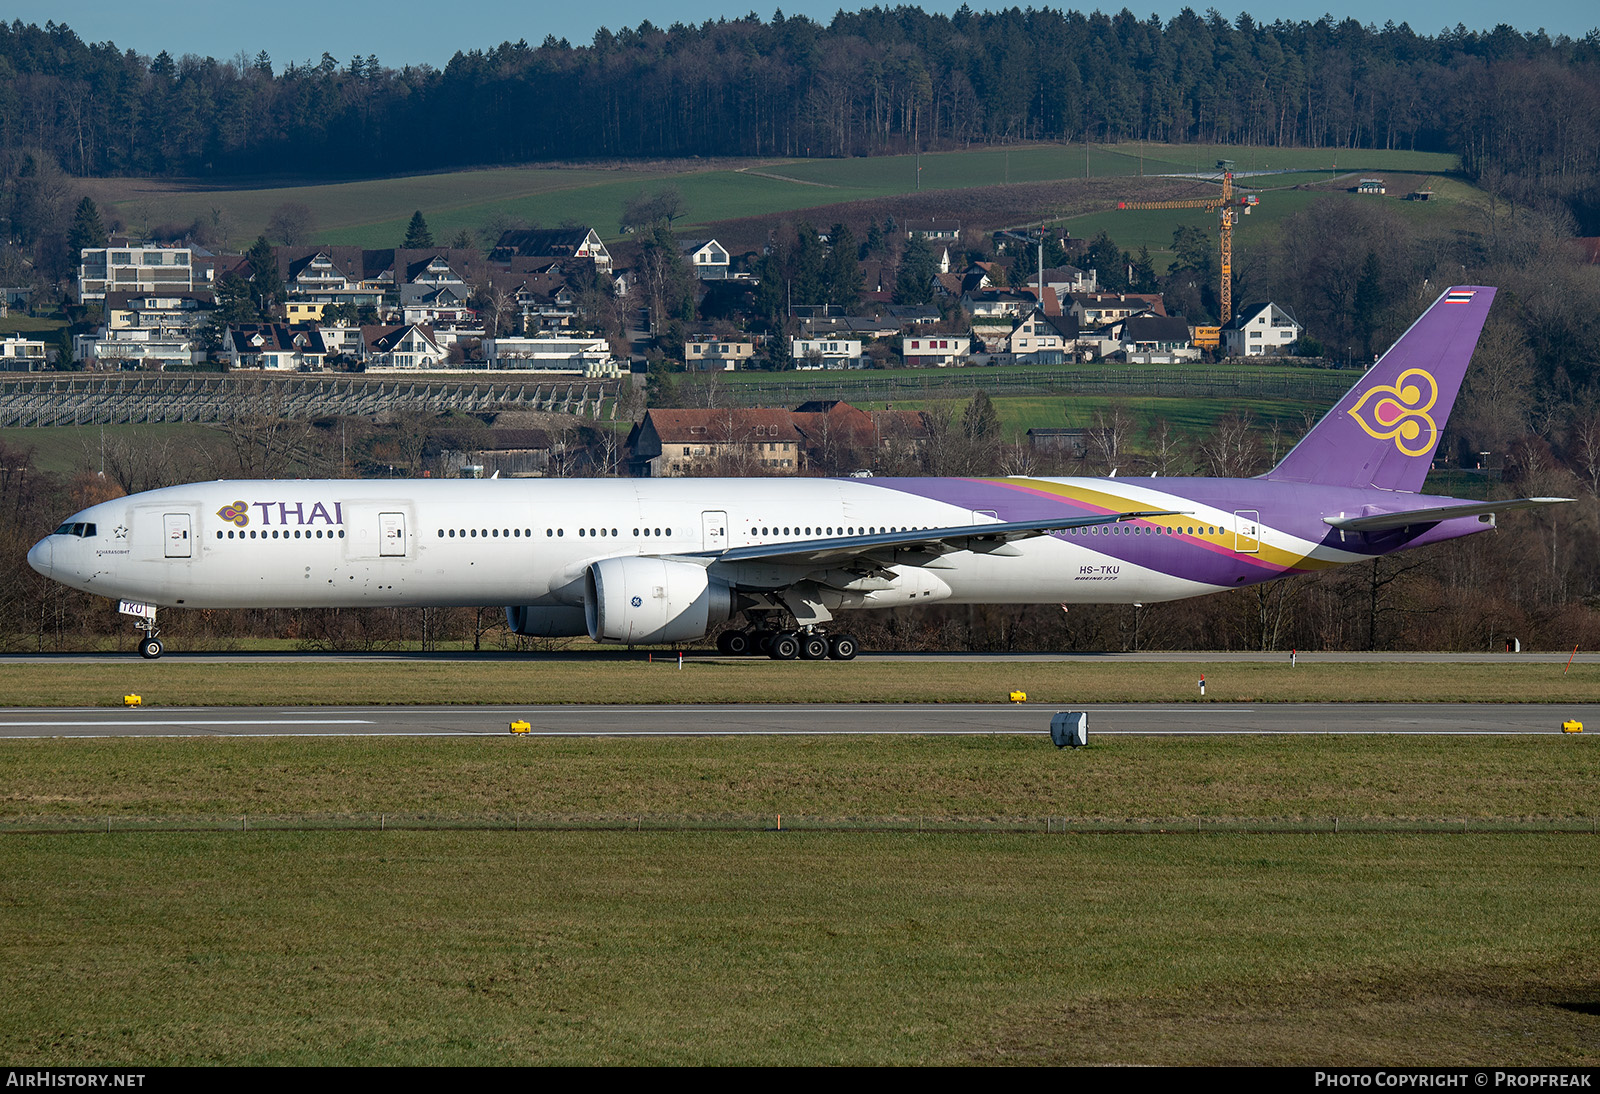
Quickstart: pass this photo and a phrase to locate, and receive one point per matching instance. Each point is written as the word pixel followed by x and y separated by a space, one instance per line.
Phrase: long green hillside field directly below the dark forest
pixel 375 212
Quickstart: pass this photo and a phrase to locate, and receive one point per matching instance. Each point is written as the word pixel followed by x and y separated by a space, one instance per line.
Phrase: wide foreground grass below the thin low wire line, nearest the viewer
pixel 449 948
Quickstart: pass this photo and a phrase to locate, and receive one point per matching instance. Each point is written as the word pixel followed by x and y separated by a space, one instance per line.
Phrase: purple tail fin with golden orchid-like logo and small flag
pixel 1385 431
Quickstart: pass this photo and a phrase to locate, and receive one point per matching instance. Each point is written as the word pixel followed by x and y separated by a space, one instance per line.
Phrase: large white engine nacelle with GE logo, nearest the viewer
pixel 649 601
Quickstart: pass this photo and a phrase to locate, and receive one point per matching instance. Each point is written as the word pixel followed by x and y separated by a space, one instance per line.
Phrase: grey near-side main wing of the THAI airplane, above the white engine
pixel 911 548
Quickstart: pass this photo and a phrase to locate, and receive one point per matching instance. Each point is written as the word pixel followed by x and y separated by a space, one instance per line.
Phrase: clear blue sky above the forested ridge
pixel 415 31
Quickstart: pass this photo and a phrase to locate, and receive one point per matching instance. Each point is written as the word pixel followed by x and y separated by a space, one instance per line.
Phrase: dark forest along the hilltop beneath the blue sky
pixel 1516 106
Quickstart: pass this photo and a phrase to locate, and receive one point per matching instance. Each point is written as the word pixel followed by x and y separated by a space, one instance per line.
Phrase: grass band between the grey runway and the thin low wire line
pixel 978 780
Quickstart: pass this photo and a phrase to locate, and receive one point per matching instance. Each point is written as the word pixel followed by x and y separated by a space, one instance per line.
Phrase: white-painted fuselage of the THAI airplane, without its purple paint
pixel 436 543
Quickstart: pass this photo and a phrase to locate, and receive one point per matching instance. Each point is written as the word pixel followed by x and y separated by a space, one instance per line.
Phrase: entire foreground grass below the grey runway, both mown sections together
pixel 801 948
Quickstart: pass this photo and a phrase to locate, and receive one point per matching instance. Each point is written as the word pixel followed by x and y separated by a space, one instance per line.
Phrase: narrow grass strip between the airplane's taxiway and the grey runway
pixel 711 679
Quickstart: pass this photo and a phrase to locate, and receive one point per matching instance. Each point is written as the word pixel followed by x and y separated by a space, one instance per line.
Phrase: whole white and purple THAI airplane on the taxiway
pixel 655 562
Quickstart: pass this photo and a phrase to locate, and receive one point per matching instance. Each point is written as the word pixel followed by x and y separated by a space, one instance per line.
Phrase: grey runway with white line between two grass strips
pixel 798 721
